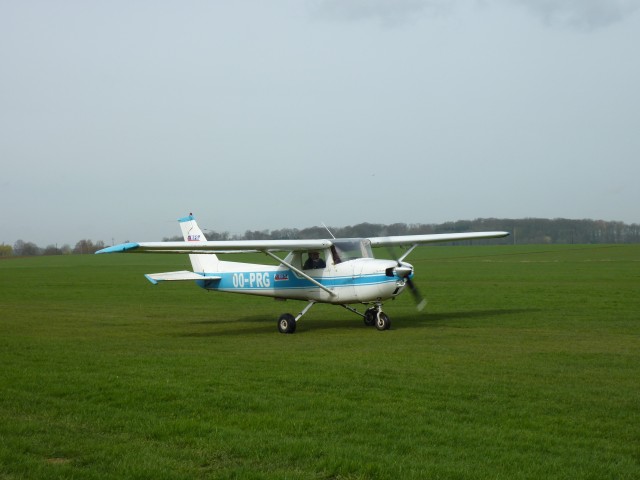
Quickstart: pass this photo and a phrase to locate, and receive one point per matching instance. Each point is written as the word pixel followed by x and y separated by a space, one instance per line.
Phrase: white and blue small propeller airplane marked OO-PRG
pixel 338 271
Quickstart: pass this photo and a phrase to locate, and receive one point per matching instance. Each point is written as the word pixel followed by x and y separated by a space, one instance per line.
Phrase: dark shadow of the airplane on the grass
pixel 260 324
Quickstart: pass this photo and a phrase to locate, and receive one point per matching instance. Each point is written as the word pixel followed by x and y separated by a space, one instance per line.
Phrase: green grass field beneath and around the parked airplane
pixel 525 364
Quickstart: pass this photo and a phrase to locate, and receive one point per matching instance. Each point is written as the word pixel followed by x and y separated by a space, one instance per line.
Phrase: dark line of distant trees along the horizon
pixel 523 231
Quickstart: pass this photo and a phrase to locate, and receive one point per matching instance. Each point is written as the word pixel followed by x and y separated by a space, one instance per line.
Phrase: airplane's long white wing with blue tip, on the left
pixel 223 246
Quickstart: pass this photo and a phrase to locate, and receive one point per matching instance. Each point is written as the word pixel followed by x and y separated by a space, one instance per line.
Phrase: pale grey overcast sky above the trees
pixel 118 117
